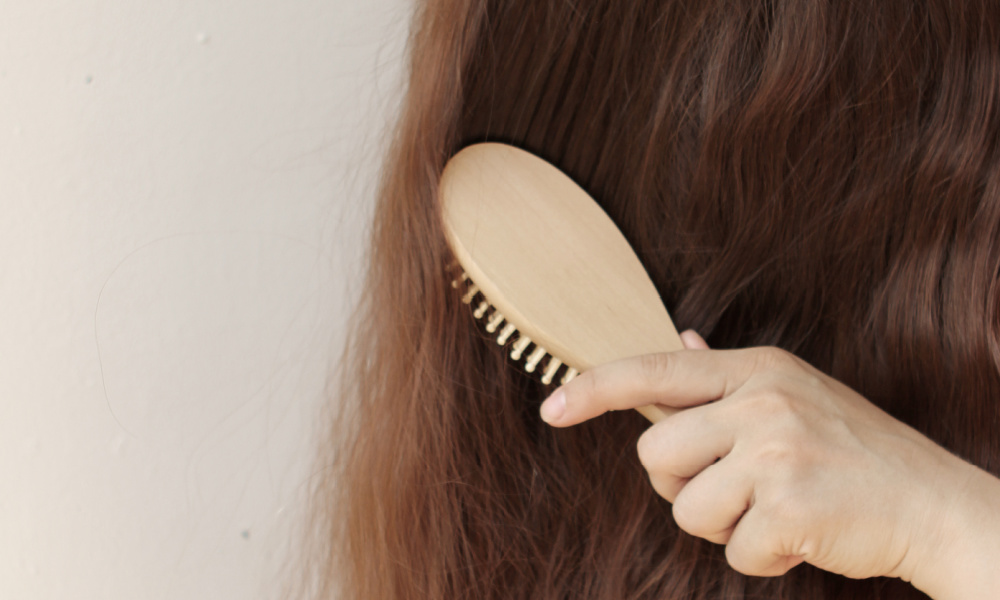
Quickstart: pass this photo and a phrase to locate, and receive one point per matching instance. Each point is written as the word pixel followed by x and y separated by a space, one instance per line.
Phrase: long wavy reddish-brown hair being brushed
pixel 817 175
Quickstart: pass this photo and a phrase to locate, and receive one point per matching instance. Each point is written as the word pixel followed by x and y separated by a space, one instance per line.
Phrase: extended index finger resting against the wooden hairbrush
pixel 675 379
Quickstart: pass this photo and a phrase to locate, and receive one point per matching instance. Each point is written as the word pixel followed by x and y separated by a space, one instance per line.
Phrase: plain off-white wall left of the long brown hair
pixel 184 189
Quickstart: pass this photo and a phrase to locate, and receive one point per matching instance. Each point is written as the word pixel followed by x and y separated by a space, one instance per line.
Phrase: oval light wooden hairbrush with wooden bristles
pixel 542 260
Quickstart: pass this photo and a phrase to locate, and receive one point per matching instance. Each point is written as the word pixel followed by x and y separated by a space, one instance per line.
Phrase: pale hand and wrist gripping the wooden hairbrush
pixel 784 464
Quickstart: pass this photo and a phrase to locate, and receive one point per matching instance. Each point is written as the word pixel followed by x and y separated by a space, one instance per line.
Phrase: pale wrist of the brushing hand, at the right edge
pixel 959 554
